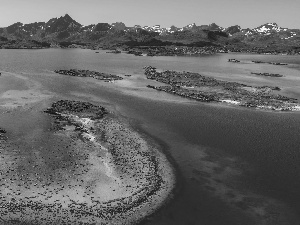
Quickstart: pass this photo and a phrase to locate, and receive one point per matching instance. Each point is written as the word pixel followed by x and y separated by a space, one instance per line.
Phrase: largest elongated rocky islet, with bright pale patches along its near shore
pixel 208 89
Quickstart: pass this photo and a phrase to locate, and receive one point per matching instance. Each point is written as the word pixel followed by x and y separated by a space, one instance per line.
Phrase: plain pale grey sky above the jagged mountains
pixel 225 13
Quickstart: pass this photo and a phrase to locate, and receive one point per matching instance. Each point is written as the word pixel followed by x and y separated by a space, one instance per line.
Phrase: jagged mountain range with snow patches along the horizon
pixel 65 31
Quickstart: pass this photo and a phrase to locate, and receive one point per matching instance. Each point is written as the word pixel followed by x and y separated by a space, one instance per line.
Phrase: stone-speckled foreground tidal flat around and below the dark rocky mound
pixel 104 172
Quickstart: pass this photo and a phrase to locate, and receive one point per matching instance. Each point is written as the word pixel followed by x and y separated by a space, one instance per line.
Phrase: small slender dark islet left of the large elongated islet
pixel 89 73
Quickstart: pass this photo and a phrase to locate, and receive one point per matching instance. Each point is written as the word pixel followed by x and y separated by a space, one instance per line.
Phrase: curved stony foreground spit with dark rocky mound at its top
pixel 115 175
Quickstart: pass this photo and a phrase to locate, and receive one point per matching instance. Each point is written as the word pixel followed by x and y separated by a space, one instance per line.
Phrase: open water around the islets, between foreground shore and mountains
pixel 236 166
